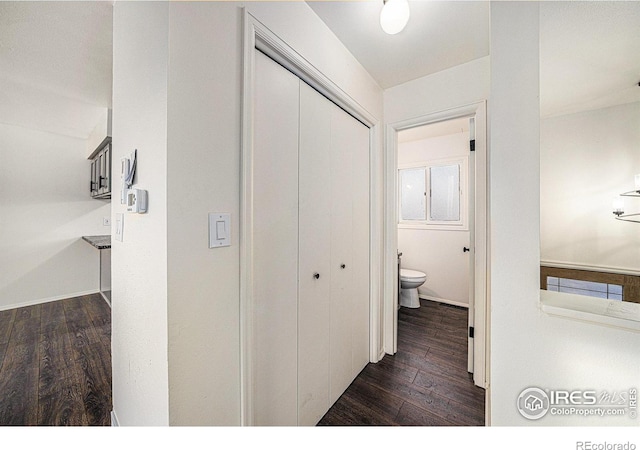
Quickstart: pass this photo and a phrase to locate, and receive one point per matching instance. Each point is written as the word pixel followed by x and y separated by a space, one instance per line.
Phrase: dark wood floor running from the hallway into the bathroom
pixel 425 383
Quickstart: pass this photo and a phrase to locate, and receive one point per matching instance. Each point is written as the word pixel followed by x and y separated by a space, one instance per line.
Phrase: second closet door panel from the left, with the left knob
pixel 314 256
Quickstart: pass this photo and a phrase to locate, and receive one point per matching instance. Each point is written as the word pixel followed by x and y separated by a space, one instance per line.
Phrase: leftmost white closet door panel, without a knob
pixel 275 243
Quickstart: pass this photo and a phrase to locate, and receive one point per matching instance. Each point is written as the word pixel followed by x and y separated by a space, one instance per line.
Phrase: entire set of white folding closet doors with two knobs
pixel 310 265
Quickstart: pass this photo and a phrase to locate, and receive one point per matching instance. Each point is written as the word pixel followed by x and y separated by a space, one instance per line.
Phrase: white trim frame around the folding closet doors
pixel 257 37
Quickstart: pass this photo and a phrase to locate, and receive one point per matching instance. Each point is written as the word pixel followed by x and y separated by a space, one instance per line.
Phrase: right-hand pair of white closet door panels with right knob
pixel 349 337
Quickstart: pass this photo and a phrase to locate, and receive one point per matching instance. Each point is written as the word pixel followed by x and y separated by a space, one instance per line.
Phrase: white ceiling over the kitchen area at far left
pixel 55 60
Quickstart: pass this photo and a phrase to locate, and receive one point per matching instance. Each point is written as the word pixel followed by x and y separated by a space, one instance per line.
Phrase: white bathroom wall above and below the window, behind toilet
pixel 438 253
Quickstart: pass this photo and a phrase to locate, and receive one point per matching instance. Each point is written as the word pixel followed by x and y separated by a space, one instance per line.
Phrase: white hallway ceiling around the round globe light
pixel 439 35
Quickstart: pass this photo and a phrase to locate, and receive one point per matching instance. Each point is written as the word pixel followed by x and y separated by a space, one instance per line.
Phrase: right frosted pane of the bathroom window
pixel 445 193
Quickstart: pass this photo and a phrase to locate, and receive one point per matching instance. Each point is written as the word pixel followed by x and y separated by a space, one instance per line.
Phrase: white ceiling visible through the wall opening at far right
pixel 590 55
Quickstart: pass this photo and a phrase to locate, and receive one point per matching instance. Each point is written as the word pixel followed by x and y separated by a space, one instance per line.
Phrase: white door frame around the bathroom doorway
pixel 481 261
